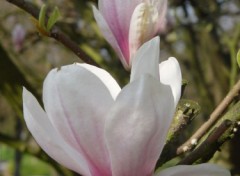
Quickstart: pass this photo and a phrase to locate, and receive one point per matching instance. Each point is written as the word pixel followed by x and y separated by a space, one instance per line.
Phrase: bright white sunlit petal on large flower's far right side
pixel 170 74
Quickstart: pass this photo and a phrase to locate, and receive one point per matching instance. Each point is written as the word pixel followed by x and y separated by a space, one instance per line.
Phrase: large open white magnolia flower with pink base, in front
pixel 93 127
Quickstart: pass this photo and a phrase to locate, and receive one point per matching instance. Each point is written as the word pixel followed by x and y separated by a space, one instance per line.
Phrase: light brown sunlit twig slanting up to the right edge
pixel 216 114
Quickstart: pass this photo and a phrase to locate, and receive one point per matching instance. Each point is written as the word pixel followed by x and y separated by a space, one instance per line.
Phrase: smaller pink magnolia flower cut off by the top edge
pixel 127 24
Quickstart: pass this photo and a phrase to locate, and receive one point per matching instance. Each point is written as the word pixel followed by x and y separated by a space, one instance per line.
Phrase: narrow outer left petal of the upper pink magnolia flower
pixel 122 53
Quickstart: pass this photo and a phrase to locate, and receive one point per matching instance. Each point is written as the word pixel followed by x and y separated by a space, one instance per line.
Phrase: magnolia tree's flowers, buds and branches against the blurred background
pixel 92 126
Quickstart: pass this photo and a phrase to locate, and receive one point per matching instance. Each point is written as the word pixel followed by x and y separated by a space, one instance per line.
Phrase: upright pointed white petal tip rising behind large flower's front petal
pixel 146 60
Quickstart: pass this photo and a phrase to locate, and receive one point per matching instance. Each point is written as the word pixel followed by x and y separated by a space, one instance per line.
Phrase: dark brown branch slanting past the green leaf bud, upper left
pixel 55 33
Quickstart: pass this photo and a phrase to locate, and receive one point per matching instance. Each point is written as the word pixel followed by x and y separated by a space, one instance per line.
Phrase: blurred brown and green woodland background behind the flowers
pixel 203 35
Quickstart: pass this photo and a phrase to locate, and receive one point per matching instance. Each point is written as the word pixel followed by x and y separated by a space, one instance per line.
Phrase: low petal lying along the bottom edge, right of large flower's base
pixel 196 170
